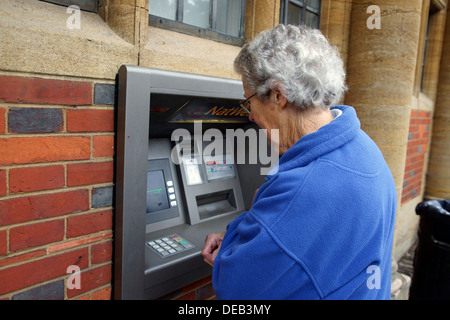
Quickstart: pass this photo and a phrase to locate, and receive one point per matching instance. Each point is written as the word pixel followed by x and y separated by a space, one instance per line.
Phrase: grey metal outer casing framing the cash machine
pixel 132 277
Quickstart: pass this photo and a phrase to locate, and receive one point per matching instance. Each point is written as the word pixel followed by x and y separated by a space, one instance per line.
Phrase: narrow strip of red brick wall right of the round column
pixel 418 137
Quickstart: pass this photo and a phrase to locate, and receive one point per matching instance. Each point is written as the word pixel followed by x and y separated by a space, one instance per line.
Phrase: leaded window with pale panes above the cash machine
pixel 220 20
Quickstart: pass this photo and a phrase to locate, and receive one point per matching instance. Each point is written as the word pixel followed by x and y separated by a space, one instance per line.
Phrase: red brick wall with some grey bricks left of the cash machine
pixel 56 187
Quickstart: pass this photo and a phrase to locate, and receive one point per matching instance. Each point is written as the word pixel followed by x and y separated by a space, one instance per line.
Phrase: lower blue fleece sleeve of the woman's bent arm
pixel 250 265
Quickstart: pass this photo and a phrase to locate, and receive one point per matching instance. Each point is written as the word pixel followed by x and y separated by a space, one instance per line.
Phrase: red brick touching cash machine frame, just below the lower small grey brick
pixel 89 223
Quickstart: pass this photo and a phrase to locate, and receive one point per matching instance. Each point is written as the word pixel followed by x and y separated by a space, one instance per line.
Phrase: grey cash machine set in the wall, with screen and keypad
pixel 176 180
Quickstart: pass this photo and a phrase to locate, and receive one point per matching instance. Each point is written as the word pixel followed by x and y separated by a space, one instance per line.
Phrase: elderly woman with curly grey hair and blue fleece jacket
pixel 321 226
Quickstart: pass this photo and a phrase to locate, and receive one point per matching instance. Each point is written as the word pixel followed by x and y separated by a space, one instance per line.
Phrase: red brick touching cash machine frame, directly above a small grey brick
pixel 89 173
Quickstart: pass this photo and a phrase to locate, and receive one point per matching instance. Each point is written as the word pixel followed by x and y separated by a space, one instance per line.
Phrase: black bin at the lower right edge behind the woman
pixel 431 277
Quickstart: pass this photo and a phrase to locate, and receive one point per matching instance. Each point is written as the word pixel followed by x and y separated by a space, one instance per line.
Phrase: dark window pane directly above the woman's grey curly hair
pixel 301 12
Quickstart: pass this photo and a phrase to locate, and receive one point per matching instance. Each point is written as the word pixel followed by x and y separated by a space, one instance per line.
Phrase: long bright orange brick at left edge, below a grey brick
pixel 43 149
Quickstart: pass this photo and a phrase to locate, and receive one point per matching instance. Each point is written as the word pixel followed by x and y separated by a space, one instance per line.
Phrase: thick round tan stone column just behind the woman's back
pixel 381 65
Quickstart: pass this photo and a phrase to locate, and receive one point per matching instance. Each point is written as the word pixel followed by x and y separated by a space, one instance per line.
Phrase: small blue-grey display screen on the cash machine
pixel 156 191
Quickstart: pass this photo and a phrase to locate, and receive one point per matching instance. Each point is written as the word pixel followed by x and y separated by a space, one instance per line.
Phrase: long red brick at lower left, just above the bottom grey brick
pixel 36 271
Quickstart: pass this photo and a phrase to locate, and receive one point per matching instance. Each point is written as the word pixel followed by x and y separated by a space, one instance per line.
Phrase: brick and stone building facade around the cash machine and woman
pixel 58 69
